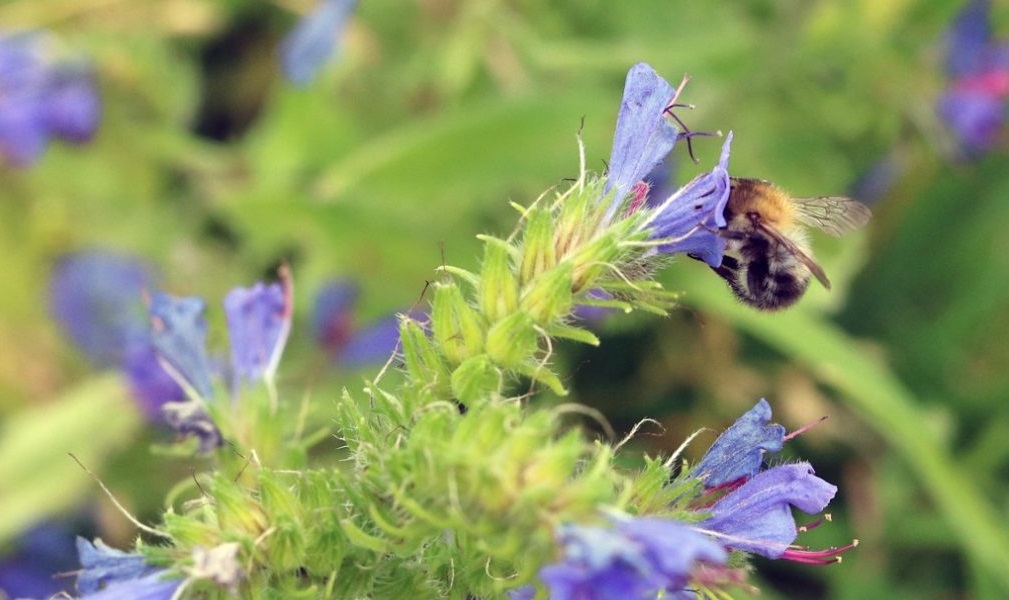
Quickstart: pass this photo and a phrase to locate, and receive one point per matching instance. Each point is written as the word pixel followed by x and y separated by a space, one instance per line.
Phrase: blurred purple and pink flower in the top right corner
pixel 974 105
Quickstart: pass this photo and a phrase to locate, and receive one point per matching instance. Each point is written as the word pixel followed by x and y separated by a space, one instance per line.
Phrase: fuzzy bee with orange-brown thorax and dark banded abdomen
pixel 768 263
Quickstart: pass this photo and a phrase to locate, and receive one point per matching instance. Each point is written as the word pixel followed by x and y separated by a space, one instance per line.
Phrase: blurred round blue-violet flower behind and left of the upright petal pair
pixel 97 299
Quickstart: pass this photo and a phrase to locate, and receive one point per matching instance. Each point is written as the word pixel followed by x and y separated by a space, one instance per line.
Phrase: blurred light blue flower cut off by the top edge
pixel 315 40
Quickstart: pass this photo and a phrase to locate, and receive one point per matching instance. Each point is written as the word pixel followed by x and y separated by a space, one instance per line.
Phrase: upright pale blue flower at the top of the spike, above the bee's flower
pixel 644 136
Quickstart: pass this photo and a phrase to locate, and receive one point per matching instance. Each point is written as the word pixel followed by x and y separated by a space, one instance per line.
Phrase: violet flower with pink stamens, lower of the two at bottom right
pixel 757 517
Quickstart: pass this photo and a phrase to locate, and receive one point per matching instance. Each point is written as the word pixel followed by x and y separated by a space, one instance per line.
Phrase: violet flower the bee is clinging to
pixel 692 218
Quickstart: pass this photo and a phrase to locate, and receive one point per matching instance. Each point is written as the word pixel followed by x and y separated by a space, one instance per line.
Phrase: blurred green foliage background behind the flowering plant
pixel 436 115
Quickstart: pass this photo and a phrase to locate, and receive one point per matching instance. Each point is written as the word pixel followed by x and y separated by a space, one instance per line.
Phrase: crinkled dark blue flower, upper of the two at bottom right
pixel 739 451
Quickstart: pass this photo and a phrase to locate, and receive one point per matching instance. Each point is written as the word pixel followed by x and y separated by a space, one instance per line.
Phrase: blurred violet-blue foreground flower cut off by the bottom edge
pixel 637 558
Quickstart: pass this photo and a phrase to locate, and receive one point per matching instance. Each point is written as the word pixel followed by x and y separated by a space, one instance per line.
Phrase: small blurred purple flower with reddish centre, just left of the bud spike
pixel 334 330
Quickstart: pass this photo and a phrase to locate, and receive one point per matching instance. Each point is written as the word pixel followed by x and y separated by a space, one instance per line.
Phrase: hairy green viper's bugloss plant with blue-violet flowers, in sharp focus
pixel 457 482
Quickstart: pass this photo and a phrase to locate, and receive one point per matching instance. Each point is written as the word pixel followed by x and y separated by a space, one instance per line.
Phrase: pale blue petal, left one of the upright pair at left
pixel 179 333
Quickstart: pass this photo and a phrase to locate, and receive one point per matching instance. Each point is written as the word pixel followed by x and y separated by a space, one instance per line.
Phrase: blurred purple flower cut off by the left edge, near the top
pixel 41 99
